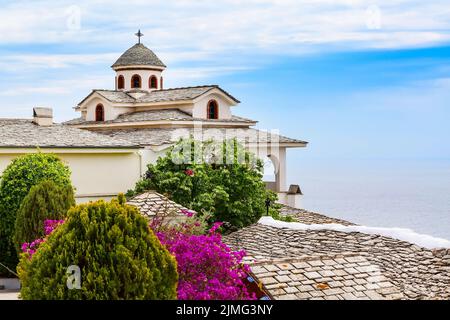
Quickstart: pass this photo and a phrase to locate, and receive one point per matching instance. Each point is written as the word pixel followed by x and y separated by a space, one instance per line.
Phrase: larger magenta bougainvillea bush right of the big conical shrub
pixel 208 269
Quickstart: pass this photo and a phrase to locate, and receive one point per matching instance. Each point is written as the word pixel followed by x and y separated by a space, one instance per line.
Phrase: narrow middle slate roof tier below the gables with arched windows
pixel 157 115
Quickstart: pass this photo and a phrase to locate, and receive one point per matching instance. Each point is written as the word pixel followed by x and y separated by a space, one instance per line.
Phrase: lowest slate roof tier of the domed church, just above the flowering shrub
pixel 161 136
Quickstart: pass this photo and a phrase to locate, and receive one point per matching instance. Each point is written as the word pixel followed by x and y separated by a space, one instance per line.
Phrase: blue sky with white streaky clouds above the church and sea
pixel 362 81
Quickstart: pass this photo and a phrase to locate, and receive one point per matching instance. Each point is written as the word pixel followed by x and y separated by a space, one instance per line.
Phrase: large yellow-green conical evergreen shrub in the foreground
pixel 117 253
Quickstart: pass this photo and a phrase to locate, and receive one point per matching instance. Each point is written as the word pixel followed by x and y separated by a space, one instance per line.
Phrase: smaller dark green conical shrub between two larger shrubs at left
pixel 44 201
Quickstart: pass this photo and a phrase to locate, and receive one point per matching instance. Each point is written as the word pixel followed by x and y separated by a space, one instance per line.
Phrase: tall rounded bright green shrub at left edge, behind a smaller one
pixel 17 179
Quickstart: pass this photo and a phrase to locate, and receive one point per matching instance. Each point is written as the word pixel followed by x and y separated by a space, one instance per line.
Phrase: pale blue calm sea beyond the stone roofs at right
pixel 413 194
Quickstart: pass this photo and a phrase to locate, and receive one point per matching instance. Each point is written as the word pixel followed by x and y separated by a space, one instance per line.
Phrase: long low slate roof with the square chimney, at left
pixel 24 133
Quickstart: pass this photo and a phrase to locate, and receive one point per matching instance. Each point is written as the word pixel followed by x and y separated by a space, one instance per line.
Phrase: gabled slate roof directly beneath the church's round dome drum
pixel 165 95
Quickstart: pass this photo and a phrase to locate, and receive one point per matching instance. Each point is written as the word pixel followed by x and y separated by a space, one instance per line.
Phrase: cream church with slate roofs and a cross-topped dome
pixel 120 131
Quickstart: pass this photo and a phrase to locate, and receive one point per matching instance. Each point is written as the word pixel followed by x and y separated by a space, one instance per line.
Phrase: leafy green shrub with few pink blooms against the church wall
pixel 230 188
